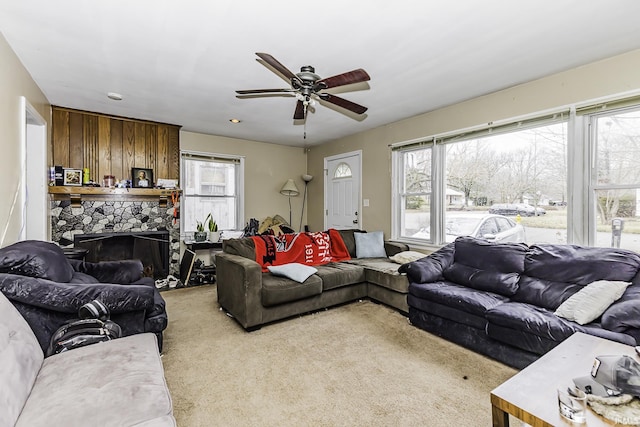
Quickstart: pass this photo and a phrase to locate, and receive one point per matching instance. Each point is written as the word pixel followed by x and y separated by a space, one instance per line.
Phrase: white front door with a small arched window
pixel 342 198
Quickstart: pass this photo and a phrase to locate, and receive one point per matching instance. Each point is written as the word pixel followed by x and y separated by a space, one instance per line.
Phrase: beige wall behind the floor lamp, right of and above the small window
pixel 267 168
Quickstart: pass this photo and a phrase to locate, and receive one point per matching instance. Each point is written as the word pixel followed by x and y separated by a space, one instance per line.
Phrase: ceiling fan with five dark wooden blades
pixel 307 86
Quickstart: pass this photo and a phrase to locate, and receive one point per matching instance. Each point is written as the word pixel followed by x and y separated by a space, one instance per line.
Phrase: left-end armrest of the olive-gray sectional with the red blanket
pixel 239 283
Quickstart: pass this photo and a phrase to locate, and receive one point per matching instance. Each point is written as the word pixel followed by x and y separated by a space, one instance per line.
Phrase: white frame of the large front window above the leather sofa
pixel 582 183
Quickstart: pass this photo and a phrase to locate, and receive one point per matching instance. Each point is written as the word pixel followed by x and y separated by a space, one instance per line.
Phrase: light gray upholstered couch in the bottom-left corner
pixel 114 383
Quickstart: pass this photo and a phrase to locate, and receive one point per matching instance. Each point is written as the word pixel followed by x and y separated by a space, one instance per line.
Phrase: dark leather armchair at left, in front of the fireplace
pixel 48 289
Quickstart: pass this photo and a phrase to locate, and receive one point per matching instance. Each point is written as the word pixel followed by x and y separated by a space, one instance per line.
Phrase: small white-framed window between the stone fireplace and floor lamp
pixel 211 184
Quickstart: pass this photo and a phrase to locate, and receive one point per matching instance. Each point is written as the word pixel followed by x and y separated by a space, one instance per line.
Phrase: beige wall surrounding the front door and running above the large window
pixel 600 79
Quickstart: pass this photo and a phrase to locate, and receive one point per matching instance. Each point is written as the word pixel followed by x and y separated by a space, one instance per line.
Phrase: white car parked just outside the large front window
pixel 495 228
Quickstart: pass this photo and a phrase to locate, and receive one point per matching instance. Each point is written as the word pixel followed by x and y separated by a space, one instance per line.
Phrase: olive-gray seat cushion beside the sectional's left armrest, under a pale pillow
pixel 278 290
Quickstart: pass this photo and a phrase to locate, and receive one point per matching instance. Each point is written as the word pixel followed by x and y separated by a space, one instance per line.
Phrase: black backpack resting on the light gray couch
pixel 94 326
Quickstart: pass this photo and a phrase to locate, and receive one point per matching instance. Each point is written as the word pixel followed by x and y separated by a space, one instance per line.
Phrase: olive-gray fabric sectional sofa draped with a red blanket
pixel 255 298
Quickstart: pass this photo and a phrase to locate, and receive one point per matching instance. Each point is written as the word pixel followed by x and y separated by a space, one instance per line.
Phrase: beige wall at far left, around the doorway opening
pixel 15 82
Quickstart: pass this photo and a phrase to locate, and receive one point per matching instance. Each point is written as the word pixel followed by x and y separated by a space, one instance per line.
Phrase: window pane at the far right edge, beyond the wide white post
pixel 615 178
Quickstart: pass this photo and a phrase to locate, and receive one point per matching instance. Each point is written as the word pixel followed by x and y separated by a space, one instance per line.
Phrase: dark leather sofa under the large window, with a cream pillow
pixel 499 299
